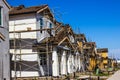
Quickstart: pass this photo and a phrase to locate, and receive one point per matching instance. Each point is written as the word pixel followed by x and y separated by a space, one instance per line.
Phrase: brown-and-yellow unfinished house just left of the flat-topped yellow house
pixel 90 52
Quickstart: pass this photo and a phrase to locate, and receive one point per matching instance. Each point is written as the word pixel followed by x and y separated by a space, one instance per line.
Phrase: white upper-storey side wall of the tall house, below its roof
pixel 23 22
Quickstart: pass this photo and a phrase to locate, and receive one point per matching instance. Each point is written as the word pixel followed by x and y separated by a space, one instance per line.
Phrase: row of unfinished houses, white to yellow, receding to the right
pixel 42 46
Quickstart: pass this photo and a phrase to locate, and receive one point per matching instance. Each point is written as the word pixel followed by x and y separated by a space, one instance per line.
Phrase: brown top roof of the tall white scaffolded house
pixel 22 10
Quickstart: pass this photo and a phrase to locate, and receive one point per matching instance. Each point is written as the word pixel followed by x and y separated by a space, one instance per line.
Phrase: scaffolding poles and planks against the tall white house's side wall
pixel 17 57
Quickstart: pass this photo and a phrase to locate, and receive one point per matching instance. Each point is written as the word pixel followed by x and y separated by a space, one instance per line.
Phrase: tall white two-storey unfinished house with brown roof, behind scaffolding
pixel 28 26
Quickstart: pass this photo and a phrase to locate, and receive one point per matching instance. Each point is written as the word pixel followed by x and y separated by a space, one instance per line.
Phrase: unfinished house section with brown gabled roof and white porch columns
pixel 63 56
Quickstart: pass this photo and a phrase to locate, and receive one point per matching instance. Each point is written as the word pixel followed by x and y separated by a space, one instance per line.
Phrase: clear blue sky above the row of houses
pixel 98 19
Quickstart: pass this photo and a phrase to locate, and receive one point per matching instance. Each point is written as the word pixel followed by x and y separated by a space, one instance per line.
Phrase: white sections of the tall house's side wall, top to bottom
pixel 23 22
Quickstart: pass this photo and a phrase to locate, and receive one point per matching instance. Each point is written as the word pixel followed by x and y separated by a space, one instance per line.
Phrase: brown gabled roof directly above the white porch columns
pixel 61 38
